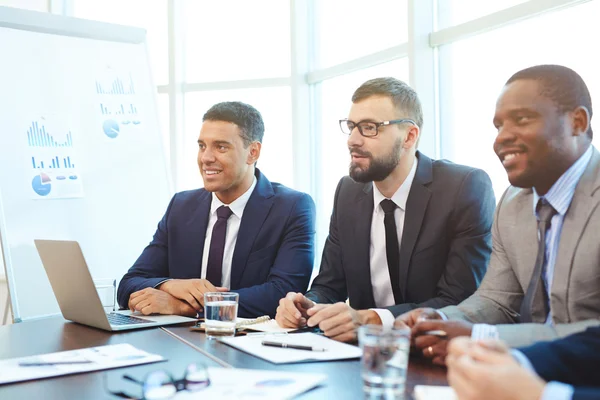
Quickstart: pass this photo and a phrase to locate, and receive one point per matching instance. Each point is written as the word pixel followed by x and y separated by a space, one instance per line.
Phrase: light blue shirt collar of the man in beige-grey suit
pixel 561 193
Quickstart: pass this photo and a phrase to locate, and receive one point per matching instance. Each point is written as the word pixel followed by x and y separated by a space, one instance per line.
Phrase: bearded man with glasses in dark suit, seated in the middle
pixel 406 231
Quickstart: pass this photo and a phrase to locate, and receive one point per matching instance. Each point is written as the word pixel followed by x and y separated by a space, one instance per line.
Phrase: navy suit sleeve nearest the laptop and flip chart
pixel 152 267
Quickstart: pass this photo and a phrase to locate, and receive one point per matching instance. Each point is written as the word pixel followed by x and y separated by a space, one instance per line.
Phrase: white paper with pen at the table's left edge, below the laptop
pixel 73 362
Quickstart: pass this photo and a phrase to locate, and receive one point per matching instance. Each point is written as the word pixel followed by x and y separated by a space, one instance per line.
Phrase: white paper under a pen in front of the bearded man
pixel 278 355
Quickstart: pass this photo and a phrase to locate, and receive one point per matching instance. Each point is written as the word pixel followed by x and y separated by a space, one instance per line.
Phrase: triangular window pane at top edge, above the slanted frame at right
pixel 455 12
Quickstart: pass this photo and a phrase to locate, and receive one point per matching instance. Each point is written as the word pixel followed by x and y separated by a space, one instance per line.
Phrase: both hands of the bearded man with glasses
pixel 338 321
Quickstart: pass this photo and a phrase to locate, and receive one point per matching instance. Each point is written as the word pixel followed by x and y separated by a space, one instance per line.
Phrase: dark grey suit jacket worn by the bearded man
pixel 445 244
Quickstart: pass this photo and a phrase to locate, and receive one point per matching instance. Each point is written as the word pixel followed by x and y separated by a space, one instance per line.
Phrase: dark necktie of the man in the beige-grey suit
pixel 536 286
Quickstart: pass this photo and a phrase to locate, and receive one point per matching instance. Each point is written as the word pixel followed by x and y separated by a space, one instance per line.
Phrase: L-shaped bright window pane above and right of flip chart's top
pixel 150 15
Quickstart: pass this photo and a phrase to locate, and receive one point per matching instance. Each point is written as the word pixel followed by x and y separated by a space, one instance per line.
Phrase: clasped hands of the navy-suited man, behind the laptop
pixel 173 297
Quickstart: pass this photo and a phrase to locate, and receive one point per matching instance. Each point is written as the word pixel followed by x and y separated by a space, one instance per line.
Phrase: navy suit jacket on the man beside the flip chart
pixel 273 255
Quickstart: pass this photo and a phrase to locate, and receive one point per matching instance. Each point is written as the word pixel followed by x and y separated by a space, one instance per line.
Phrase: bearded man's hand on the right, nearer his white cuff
pixel 339 321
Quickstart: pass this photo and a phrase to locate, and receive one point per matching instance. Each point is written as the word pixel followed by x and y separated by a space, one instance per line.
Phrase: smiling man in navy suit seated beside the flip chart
pixel 240 232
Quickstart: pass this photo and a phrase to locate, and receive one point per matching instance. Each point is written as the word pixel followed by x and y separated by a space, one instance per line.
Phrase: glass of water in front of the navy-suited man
pixel 220 313
